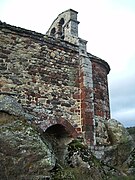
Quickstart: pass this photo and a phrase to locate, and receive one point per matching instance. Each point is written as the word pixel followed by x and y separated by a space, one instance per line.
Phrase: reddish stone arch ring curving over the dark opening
pixel 57 125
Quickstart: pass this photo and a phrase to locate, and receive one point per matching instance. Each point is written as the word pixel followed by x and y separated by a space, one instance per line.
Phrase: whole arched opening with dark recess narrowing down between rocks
pixel 58 133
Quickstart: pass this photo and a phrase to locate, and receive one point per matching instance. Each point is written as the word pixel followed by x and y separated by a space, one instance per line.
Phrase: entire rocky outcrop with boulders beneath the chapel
pixel 27 154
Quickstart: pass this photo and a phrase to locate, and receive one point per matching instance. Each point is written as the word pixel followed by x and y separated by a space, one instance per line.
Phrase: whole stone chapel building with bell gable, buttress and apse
pixel 54 78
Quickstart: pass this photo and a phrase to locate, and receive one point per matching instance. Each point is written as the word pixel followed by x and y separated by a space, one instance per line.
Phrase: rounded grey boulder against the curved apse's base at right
pixel 122 144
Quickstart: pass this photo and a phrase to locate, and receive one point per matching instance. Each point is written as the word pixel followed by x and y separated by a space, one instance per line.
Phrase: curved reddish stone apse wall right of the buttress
pixel 100 86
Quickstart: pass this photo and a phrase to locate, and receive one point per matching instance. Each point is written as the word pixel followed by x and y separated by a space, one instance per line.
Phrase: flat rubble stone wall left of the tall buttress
pixel 41 73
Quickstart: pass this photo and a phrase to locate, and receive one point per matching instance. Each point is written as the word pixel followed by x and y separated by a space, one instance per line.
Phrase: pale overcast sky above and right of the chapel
pixel 109 28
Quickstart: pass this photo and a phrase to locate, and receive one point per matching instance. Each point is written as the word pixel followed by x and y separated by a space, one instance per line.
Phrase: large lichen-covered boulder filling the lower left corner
pixel 23 154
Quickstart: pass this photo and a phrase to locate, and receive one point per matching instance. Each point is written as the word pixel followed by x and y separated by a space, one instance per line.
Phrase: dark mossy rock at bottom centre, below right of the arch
pixel 81 164
